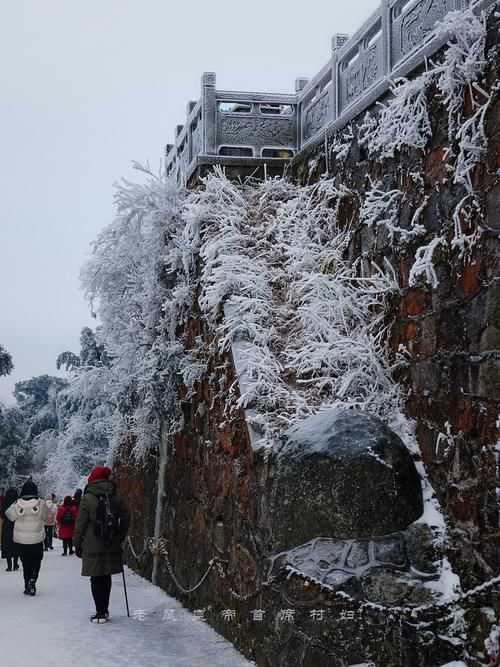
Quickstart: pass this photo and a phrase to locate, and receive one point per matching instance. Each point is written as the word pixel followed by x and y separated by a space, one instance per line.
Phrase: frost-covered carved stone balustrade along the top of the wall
pixel 229 127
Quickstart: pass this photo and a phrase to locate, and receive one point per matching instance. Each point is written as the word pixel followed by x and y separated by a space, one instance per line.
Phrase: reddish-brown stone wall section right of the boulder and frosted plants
pixel 451 333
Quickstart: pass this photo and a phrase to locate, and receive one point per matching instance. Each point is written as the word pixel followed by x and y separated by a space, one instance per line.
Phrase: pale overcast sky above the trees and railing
pixel 87 86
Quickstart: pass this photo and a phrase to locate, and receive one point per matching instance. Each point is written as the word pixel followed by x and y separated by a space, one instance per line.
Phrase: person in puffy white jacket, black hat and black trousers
pixel 29 513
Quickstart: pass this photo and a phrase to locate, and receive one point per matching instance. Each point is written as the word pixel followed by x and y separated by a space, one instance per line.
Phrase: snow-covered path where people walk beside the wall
pixel 53 629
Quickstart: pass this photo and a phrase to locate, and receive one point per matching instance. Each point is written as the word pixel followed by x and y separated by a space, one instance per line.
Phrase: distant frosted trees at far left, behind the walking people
pixel 48 433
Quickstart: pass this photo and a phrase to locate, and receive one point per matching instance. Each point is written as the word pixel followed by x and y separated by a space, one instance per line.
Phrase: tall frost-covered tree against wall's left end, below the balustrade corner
pixel 139 278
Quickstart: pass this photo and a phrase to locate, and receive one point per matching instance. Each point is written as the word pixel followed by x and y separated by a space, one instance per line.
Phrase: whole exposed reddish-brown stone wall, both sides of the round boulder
pixel 216 502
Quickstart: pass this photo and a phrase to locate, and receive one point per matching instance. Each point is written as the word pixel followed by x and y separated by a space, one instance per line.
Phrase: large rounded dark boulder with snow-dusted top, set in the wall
pixel 340 474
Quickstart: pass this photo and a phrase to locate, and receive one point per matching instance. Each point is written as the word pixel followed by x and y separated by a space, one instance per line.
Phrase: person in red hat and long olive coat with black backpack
pixel 99 547
